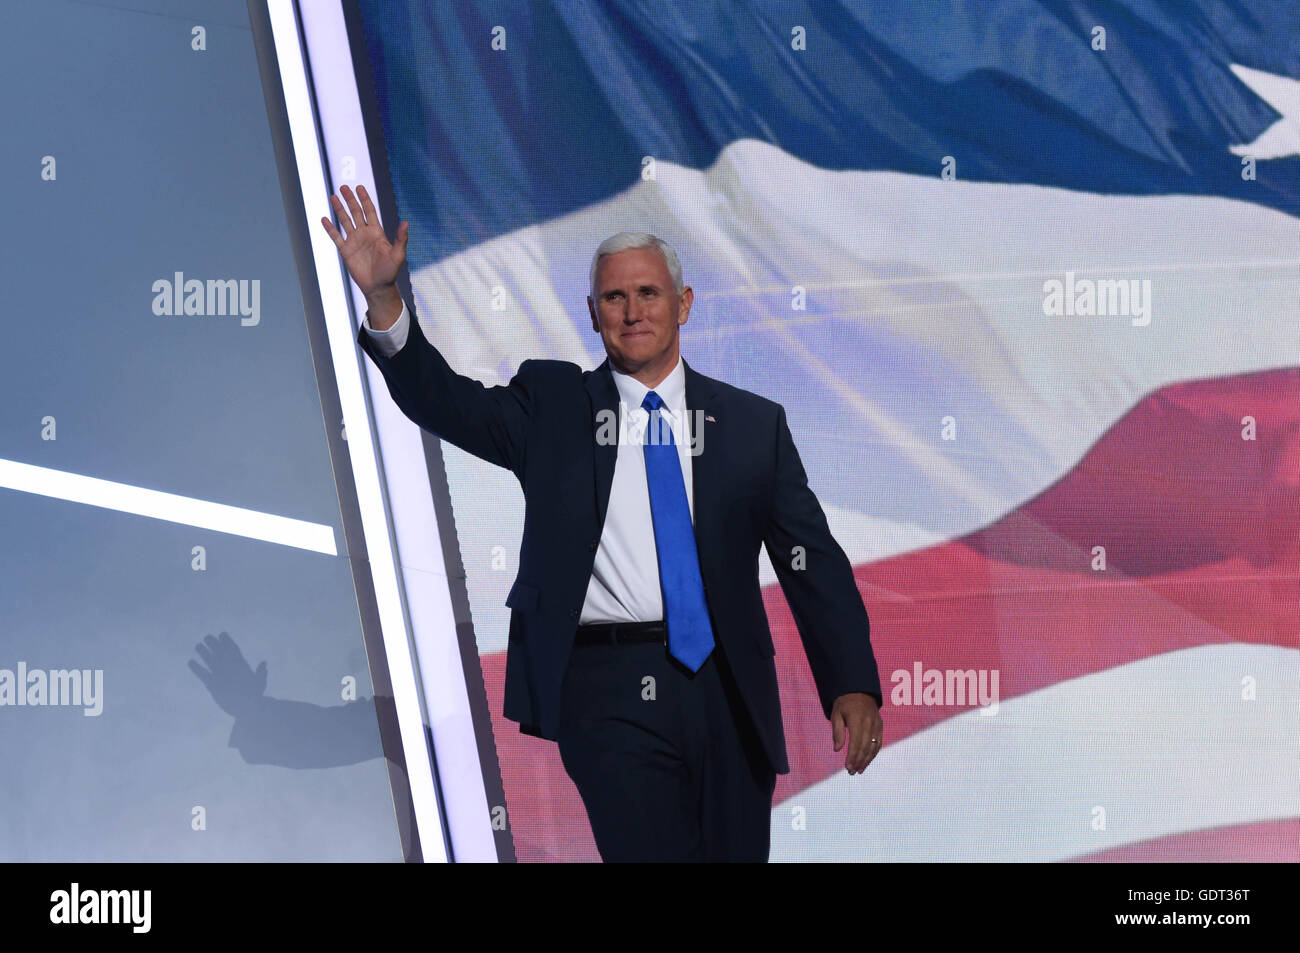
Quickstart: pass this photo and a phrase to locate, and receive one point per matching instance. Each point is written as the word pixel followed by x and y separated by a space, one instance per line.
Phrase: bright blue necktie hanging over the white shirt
pixel 691 636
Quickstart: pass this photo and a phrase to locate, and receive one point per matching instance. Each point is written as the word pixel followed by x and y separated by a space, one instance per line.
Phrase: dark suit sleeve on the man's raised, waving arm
pixel 491 423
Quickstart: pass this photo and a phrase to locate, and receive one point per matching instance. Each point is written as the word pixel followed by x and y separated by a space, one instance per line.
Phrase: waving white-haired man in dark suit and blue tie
pixel 639 640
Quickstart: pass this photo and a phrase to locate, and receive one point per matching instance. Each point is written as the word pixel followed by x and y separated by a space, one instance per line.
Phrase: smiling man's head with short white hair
pixel 638 311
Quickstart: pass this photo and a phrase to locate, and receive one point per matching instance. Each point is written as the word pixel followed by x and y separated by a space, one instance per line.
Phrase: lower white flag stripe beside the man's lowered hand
pixel 1149 750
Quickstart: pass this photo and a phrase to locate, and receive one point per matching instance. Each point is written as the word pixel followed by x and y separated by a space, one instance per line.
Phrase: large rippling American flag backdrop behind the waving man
pixel 1026 278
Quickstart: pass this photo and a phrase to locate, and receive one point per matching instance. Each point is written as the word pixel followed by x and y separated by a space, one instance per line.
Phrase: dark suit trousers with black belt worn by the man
pixel 671 769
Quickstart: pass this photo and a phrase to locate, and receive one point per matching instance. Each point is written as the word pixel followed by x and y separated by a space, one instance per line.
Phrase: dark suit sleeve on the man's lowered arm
pixel 824 595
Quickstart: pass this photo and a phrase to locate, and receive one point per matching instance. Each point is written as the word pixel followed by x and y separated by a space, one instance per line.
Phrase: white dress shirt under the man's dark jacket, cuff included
pixel 625 584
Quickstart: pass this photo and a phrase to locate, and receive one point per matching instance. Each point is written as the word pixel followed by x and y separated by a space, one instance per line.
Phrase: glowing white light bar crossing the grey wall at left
pixel 168 506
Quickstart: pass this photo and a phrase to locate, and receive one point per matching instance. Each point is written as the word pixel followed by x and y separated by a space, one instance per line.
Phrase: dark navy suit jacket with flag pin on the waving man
pixel 749 488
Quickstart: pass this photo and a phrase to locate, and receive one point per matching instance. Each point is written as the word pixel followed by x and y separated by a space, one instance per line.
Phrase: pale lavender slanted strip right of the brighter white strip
pixel 415 525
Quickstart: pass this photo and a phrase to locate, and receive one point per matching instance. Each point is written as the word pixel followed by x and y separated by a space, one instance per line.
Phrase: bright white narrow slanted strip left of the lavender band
pixel 362 450
